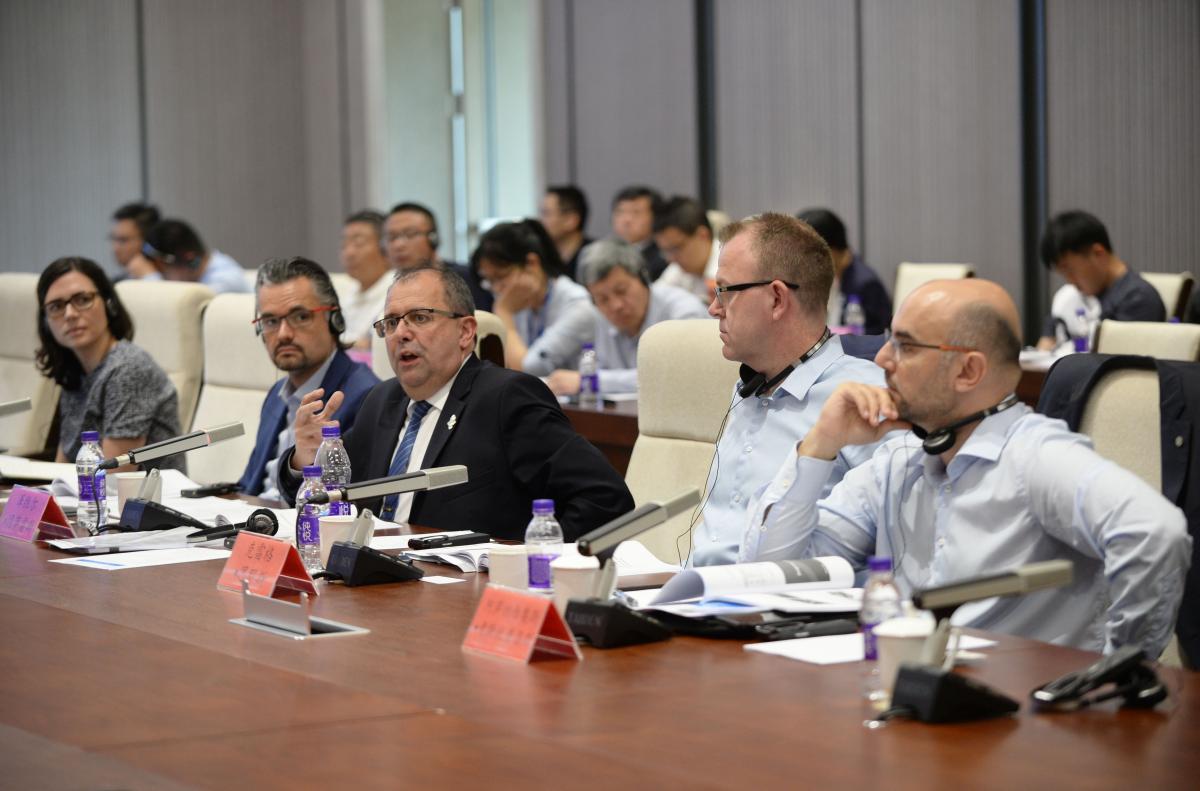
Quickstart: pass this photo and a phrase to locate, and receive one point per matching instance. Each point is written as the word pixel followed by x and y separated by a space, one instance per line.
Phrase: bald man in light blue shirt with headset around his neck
pixel 987 486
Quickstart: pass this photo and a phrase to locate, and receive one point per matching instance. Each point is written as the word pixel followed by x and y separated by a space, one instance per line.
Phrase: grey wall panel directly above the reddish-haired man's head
pixel 787 107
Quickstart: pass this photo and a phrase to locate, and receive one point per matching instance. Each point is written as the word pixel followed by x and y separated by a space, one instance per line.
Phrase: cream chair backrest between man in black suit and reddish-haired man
pixel 685 392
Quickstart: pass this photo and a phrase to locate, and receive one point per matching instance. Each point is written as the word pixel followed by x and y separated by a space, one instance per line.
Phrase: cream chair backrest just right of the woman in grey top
pixel 167 326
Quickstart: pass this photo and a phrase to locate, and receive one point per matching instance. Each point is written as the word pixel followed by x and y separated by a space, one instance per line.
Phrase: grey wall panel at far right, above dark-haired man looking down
pixel 1124 113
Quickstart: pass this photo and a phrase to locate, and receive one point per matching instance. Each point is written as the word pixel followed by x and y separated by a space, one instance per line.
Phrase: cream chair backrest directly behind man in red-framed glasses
pixel 238 374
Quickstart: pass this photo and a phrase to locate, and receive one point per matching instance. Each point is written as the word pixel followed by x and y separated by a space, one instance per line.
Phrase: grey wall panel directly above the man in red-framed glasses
pixel 226 124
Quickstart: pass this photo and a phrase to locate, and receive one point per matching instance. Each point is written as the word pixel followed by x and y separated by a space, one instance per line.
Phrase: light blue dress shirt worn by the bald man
pixel 1022 489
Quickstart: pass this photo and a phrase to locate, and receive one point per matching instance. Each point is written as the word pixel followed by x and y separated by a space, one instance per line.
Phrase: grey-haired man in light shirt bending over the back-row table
pixel 627 305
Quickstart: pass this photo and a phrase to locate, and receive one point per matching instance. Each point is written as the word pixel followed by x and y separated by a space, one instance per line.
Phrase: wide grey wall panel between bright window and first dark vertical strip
pixel 635 99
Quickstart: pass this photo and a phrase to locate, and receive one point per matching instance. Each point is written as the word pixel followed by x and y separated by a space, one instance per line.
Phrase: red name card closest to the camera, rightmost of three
pixel 519 626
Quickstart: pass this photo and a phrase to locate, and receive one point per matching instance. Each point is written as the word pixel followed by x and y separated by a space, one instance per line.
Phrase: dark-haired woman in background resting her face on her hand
pixel 547 314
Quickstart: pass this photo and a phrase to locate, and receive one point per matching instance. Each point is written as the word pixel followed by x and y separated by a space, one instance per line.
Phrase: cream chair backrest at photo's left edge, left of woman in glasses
pixel 20 379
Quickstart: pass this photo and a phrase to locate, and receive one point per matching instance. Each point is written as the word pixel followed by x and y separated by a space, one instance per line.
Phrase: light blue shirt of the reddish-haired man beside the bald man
pixel 761 432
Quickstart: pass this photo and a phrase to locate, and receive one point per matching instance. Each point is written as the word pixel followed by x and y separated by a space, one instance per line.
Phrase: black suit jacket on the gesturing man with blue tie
pixel 518 446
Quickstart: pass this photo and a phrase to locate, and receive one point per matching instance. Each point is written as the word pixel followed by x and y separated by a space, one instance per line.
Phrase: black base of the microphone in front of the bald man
pixel 935 696
